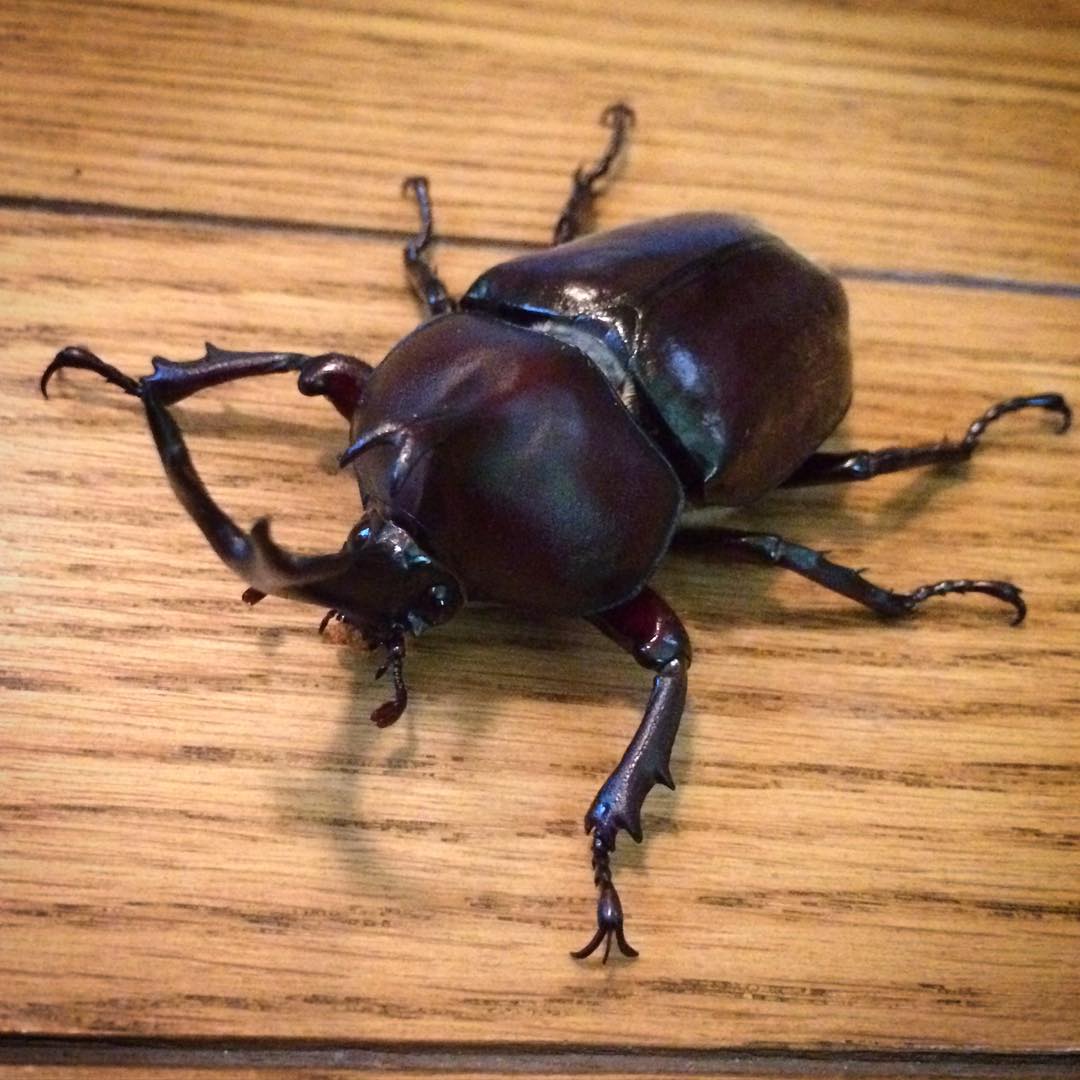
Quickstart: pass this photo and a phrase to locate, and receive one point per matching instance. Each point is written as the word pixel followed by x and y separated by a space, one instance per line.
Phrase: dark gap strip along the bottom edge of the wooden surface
pixel 526 1059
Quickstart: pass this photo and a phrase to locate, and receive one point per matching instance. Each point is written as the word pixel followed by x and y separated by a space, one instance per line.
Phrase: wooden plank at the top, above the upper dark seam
pixel 927 138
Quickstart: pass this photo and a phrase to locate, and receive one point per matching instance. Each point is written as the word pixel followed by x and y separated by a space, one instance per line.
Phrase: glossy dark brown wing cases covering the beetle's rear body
pixel 738 344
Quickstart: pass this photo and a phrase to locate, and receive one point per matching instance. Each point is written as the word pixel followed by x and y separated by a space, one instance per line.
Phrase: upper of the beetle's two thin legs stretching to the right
pixel 827 468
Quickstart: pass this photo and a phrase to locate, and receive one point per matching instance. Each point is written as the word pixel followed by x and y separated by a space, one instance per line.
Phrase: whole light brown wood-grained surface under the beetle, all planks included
pixel 210 859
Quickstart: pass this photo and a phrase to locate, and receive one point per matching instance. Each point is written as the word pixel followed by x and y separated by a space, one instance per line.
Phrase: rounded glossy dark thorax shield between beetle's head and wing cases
pixel 531 482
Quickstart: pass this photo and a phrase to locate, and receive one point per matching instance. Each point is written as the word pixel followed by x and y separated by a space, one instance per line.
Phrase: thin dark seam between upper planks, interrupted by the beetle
pixel 78 208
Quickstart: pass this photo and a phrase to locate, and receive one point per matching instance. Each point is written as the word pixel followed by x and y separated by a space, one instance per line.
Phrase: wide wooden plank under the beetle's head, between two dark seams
pixel 875 841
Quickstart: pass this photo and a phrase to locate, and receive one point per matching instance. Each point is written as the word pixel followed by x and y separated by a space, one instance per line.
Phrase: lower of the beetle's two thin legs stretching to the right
pixel 769 549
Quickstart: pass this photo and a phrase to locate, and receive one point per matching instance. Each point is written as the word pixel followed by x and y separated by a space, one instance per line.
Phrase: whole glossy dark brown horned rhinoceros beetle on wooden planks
pixel 536 443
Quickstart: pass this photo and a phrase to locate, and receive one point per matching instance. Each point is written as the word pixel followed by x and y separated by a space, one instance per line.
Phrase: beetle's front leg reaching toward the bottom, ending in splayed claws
pixel 647 629
